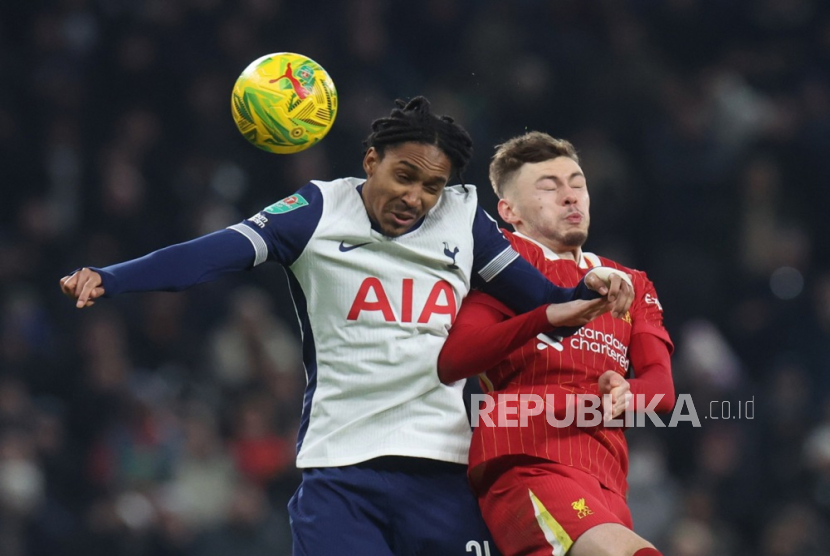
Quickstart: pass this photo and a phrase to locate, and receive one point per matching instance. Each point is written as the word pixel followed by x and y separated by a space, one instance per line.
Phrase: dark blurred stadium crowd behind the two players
pixel 164 424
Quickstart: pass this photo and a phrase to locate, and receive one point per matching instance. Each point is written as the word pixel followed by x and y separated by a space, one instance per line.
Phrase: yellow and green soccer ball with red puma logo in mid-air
pixel 284 102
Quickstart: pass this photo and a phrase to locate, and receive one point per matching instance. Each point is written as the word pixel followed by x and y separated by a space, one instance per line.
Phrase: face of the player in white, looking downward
pixel 403 185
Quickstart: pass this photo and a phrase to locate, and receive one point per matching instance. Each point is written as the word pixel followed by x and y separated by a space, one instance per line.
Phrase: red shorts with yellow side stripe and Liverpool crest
pixel 537 507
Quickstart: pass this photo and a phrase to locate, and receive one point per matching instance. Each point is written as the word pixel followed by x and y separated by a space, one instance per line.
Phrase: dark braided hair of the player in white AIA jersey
pixel 413 121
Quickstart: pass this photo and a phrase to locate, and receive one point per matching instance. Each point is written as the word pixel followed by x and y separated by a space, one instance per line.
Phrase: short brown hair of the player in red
pixel 529 148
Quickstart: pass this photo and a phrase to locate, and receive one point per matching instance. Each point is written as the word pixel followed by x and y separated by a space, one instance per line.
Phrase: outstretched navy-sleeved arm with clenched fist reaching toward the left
pixel 172 268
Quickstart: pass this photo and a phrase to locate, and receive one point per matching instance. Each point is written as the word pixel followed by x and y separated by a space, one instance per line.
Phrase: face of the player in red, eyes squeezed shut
pixel 549 201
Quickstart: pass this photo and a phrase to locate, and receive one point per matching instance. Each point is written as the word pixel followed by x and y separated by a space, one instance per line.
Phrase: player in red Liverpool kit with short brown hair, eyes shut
pixel 547 489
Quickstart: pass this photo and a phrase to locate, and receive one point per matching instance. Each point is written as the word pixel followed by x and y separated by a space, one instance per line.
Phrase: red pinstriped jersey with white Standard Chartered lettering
pixel 544 366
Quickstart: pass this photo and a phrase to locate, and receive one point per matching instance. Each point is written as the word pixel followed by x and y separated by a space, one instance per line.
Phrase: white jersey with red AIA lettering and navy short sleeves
pixel 374 313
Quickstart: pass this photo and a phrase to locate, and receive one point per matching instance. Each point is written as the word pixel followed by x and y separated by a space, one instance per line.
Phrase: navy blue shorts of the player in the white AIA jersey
pixel 388 506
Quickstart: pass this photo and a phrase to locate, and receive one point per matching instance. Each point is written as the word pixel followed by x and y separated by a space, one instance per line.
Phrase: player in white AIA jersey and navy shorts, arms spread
pixel 378 268
